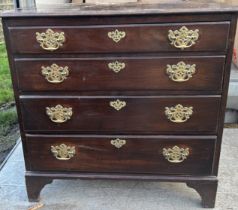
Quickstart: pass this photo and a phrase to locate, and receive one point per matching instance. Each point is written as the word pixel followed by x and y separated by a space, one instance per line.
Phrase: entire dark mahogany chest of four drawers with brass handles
pixel 136 92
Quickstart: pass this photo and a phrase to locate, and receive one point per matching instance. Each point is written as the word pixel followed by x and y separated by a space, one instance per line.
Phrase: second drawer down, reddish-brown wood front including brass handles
pixel 129 73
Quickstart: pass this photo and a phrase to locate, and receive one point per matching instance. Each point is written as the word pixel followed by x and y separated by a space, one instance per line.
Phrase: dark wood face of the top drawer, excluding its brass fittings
pixel 139 38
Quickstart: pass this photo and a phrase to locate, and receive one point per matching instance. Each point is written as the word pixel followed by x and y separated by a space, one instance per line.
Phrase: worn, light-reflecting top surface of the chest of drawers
pixel 141 7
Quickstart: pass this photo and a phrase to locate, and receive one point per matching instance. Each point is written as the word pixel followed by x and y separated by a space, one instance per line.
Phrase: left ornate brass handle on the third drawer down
pixel 59 114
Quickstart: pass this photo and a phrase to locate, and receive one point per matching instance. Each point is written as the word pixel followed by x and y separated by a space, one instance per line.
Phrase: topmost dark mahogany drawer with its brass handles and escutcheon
pixel 206 36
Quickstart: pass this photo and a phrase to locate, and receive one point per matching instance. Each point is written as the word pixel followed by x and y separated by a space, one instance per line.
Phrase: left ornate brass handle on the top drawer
pixel 50 40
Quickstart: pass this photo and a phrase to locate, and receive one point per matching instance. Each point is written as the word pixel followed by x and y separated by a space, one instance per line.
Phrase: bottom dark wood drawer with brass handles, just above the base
pixel 127 154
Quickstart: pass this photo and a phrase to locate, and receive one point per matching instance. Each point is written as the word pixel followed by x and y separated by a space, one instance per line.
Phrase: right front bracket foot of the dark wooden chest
pixel 207 190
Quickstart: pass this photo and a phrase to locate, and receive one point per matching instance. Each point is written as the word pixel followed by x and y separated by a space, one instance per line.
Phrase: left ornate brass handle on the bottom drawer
pixel 63 152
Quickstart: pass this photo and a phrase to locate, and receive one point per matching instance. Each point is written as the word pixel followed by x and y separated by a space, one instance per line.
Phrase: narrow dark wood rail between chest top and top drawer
pixel 114 20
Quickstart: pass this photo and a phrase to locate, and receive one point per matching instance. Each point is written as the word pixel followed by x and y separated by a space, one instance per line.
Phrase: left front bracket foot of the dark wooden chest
pixel 34 185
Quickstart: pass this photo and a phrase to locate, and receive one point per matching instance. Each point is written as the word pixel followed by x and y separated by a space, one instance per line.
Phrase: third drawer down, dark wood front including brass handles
pixel 124 114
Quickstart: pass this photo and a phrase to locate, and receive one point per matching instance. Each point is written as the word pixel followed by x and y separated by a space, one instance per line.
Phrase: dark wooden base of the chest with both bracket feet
pixel 37 180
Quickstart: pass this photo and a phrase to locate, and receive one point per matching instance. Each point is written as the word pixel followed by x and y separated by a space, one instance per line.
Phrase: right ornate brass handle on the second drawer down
pixel 181 72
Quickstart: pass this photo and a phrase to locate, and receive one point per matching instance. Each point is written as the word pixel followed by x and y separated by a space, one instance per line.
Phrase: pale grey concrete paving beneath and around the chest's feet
pixel 120 195
